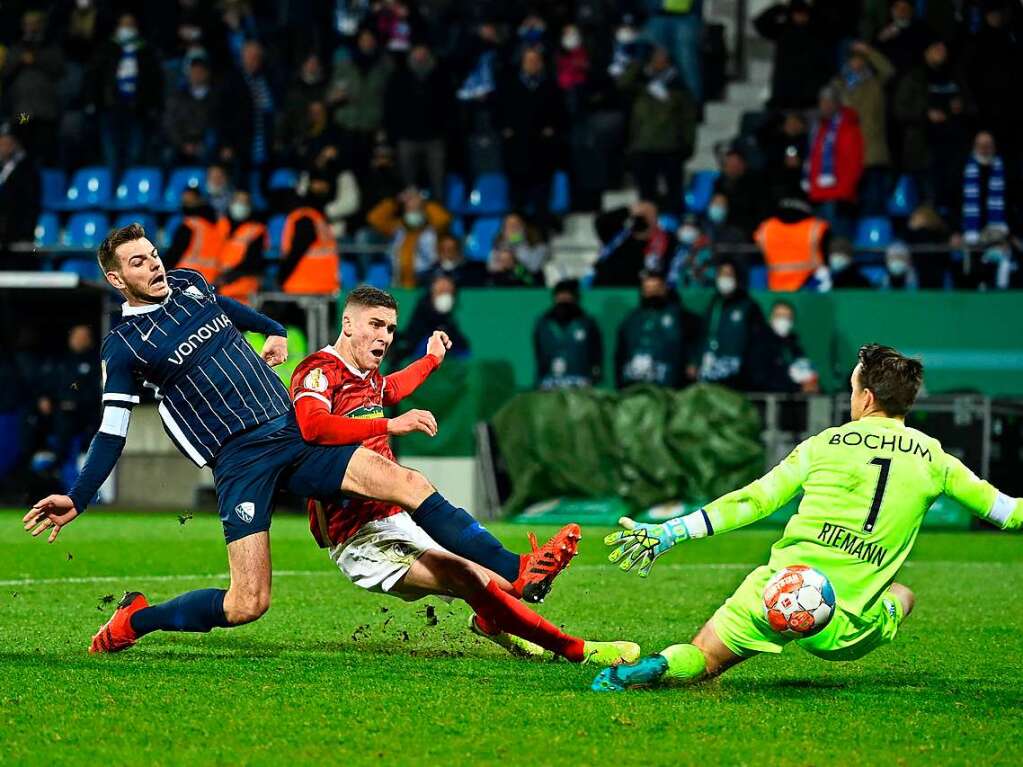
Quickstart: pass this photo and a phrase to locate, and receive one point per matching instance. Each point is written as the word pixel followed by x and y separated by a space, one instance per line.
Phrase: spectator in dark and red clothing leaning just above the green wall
pixel 633 241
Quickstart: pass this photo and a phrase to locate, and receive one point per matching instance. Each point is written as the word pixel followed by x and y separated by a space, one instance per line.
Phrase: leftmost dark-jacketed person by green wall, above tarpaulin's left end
pixel 567 343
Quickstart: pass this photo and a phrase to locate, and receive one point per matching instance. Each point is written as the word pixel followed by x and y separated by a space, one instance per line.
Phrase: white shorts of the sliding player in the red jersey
pixel 382 552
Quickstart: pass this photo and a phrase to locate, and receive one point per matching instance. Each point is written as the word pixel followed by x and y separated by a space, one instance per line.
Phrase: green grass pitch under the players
pixel 333 675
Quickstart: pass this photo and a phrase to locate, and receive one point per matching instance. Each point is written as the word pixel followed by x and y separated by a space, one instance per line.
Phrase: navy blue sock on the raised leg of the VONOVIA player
pixel 457 531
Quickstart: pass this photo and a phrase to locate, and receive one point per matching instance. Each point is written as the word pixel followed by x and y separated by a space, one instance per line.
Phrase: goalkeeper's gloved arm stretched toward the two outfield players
pixel 640 545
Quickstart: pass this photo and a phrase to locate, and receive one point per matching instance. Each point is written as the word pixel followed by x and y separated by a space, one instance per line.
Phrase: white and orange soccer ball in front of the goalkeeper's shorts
pixel 799 601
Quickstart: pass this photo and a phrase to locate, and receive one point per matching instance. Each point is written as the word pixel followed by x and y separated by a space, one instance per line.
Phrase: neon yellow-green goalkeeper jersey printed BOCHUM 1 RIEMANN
pixel 867 486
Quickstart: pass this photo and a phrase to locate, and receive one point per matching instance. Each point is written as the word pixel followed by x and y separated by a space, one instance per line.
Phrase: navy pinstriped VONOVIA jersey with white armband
pixel 210 384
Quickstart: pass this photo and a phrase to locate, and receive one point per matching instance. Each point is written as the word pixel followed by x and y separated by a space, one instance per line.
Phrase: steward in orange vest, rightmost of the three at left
pixel 310 263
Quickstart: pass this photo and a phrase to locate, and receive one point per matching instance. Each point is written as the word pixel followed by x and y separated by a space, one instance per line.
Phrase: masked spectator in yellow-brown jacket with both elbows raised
pixel 414 225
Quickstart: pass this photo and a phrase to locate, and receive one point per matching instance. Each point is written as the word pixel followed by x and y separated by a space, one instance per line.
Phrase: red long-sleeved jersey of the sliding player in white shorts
pixel 338 404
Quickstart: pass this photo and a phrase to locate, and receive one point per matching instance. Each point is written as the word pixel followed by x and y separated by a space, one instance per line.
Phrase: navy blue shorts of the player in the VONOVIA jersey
pixel 252 468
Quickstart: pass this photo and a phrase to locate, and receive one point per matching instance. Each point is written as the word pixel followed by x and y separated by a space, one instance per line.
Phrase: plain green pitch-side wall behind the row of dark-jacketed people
pixel 968 341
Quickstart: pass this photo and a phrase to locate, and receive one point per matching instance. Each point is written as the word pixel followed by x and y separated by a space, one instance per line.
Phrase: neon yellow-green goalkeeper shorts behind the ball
pixel 741 624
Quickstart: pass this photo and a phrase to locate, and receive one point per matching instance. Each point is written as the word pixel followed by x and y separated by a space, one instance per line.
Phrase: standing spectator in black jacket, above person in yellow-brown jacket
pixel 416 115
